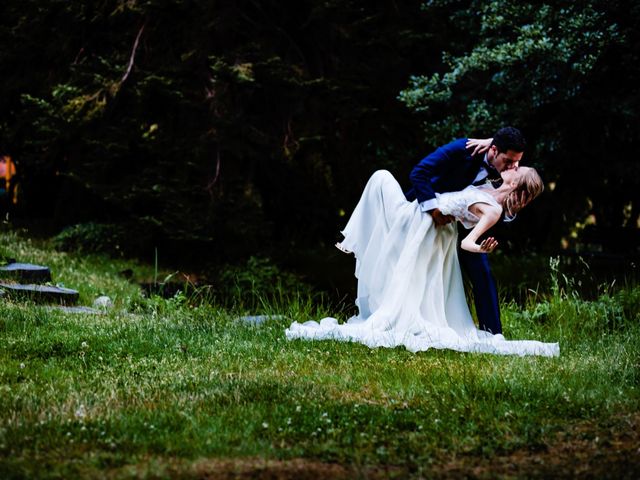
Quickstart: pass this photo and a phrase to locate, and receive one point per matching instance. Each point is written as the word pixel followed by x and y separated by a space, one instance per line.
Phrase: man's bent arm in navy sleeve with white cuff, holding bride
pixel 433 166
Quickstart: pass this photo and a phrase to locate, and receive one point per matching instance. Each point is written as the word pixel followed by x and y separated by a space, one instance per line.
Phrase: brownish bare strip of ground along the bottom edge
pixel 587 450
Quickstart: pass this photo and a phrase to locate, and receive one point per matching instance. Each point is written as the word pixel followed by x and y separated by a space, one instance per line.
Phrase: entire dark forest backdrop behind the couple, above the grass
pixel 212 131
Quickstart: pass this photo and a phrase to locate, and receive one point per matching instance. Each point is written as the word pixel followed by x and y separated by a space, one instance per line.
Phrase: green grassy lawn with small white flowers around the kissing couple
pixel 166 383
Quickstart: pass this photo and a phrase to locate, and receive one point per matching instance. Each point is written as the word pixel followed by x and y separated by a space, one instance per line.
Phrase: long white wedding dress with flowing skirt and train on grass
pixel 410 289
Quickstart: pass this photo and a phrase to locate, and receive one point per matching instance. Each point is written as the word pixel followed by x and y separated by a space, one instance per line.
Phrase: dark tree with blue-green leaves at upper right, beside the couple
pixel 566 73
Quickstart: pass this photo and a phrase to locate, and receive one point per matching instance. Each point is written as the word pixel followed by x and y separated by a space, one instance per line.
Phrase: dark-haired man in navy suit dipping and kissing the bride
pixel 453 167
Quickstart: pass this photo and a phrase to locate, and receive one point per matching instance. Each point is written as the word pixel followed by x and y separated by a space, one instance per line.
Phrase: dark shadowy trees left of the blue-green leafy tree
pixel 240 125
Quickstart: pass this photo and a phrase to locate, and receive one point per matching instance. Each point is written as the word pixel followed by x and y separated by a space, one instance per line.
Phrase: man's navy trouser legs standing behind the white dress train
pixel 485 294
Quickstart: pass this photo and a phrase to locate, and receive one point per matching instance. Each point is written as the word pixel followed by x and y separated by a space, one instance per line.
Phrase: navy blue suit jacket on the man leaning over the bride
pixel 449 169
